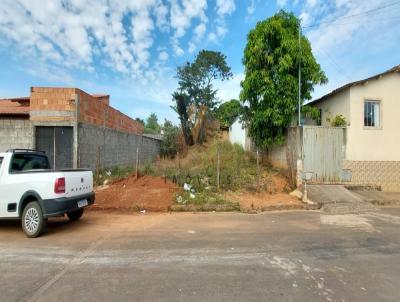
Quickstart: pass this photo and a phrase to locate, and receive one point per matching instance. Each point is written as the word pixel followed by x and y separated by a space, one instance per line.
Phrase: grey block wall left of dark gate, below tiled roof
pixel 16 133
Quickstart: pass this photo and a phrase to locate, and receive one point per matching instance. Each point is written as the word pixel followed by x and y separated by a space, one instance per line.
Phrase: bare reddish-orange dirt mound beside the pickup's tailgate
pixel 145 193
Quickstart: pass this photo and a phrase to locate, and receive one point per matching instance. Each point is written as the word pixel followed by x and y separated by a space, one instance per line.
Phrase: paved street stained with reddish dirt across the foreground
pixel 287 256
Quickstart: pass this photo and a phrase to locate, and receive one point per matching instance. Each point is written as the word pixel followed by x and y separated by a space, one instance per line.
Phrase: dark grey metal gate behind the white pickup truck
pixel 57 142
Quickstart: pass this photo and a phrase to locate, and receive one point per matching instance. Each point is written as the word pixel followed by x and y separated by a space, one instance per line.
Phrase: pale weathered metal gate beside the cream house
pixel 323 151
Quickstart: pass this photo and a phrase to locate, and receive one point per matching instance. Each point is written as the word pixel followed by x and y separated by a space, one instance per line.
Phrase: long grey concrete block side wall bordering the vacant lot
pixel 106 148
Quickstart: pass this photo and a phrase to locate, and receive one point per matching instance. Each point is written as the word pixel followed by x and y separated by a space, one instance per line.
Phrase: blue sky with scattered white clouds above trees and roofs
pixel 130 49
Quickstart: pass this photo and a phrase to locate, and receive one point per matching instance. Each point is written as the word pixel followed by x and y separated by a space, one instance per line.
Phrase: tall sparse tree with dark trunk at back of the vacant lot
pixel 196 94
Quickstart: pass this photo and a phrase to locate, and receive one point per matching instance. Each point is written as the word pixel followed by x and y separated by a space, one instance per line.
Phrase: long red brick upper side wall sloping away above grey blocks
pixel 96 112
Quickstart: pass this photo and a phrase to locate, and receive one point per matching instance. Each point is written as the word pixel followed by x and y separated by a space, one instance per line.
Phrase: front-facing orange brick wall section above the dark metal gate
pixel 47 103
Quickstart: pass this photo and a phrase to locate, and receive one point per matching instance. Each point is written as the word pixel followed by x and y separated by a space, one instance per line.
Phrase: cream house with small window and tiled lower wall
pixel 371 108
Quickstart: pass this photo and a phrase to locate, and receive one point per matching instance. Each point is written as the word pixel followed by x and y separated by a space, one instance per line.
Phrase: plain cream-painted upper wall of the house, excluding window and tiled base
pixel 380 143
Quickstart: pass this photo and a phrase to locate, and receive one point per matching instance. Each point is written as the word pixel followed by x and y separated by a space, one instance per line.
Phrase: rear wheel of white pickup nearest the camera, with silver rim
pixel 33 222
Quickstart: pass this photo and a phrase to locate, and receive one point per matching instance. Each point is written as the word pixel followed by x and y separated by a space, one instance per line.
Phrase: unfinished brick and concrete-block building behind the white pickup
pixel 75 129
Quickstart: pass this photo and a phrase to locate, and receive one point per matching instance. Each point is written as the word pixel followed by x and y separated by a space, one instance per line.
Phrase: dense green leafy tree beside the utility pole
pixel 270 88
